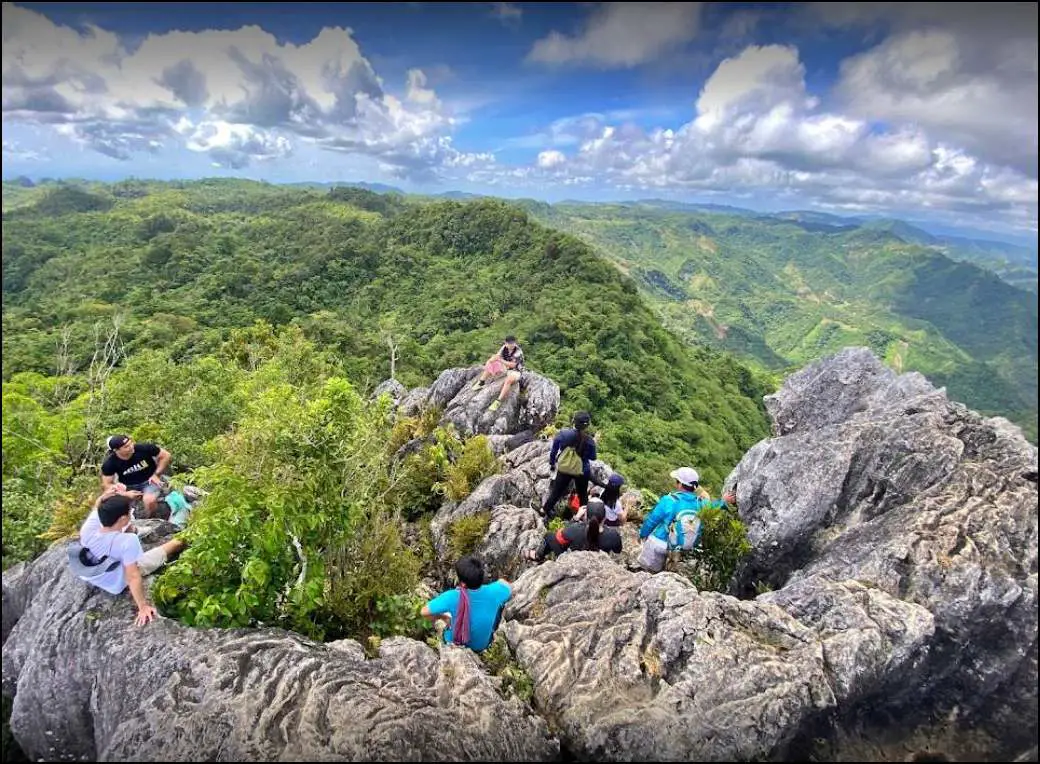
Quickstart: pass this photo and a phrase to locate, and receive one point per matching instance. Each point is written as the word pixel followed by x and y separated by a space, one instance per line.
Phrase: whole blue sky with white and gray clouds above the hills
pixel 922 111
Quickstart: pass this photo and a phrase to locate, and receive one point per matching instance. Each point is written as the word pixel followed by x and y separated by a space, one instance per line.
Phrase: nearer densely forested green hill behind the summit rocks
pixel 181 264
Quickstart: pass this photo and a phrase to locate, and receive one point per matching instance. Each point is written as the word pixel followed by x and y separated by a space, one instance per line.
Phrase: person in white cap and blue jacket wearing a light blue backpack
pixel 675 522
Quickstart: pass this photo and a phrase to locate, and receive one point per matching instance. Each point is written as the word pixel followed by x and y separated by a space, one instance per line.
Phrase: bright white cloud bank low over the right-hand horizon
pixel 759 130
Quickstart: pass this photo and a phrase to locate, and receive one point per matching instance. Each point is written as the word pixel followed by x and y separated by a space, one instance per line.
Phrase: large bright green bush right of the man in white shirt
pixel 296 531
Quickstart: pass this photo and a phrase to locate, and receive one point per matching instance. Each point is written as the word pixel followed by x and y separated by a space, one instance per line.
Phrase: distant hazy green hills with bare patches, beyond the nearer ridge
pixel 782 294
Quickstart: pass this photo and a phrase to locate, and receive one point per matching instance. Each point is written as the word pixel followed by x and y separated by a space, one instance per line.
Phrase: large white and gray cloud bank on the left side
pixel 245 95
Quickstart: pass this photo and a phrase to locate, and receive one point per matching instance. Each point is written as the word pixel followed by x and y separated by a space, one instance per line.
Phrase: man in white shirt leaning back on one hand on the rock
pixel 112 558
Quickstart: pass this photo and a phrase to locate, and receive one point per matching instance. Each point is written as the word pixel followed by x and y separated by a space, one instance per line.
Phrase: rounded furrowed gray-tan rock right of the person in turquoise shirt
pixel 631 667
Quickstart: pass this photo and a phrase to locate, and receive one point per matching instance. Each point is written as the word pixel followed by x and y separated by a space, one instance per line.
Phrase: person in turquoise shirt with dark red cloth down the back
pixel 472 612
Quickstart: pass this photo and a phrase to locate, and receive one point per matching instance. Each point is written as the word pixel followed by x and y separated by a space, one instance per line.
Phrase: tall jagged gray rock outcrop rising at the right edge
pixel 880 479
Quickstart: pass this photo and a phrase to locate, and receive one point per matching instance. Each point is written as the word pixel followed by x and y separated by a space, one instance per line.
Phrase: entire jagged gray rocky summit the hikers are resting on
pixel 888 613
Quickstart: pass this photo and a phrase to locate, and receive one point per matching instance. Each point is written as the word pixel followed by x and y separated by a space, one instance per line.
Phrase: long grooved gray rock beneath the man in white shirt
pixel 92 687
